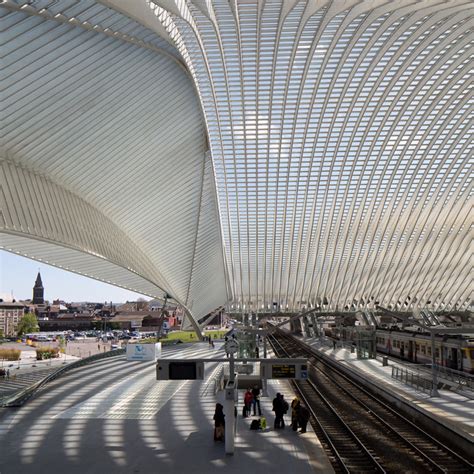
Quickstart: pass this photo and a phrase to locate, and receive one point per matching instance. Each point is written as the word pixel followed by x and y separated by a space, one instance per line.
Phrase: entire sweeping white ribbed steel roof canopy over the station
pixel 266 154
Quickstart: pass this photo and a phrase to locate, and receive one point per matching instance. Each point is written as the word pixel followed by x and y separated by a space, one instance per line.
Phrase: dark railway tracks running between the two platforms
pixel 358 431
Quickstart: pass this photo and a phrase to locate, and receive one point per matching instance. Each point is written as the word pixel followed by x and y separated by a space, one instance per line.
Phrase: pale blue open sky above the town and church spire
pixel 18 275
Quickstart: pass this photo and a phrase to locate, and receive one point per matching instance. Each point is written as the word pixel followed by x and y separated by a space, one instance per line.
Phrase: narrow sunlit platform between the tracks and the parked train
pixel 452 410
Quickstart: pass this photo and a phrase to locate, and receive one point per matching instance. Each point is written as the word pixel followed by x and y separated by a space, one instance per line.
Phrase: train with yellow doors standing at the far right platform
pixel 452 351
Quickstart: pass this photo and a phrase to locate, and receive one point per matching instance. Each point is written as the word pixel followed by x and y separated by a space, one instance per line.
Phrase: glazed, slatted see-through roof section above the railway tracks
pixel 341 144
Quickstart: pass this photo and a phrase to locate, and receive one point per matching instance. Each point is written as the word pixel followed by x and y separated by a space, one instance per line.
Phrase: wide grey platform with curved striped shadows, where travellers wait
pixel 114 417
